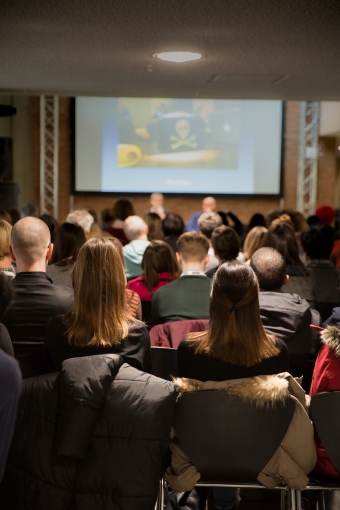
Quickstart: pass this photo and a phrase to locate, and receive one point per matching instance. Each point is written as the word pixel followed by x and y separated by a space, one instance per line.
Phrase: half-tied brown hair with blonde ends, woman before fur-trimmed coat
pixel 235 334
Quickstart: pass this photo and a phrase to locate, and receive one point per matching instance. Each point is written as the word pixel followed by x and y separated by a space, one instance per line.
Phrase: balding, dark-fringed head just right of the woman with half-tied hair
pixel 270 268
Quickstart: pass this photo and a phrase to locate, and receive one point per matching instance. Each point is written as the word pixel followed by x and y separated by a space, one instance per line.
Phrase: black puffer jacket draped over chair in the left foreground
pixel 94 436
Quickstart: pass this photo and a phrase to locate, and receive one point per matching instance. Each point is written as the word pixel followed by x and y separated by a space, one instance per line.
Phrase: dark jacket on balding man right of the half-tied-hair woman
pixel 288 317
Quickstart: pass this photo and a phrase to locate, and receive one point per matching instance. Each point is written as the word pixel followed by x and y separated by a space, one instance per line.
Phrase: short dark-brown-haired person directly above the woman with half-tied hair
pixel 226 244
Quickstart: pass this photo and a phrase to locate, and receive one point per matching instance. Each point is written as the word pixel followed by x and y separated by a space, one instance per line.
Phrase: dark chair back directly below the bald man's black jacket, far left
pixel 32 358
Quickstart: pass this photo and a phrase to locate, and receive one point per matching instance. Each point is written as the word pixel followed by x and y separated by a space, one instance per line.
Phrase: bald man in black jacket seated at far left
pixel 36 299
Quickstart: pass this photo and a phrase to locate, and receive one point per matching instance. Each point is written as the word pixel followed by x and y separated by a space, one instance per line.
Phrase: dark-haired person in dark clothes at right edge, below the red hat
pixel 318 243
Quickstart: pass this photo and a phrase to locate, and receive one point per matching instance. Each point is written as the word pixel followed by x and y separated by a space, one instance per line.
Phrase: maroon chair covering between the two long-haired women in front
pixel 171 333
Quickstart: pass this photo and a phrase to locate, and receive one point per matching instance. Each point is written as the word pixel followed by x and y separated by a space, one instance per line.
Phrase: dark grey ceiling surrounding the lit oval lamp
pixel 265 49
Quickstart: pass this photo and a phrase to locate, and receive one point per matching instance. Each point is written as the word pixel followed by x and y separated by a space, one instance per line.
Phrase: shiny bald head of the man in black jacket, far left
pixel 30 240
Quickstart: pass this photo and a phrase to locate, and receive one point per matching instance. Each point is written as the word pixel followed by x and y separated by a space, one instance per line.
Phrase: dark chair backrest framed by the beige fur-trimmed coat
pixel 228 439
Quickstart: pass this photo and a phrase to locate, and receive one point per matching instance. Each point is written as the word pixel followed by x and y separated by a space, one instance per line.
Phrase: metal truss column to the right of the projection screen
pixel 308 157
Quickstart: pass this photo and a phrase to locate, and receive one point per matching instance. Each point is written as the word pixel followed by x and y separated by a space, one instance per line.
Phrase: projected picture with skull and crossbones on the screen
pixel 177 133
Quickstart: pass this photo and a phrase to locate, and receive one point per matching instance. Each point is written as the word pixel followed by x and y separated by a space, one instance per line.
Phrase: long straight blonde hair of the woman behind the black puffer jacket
pixel 100 316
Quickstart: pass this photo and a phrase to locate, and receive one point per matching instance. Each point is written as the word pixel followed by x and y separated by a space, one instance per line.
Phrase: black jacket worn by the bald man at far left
pixel 36 299
